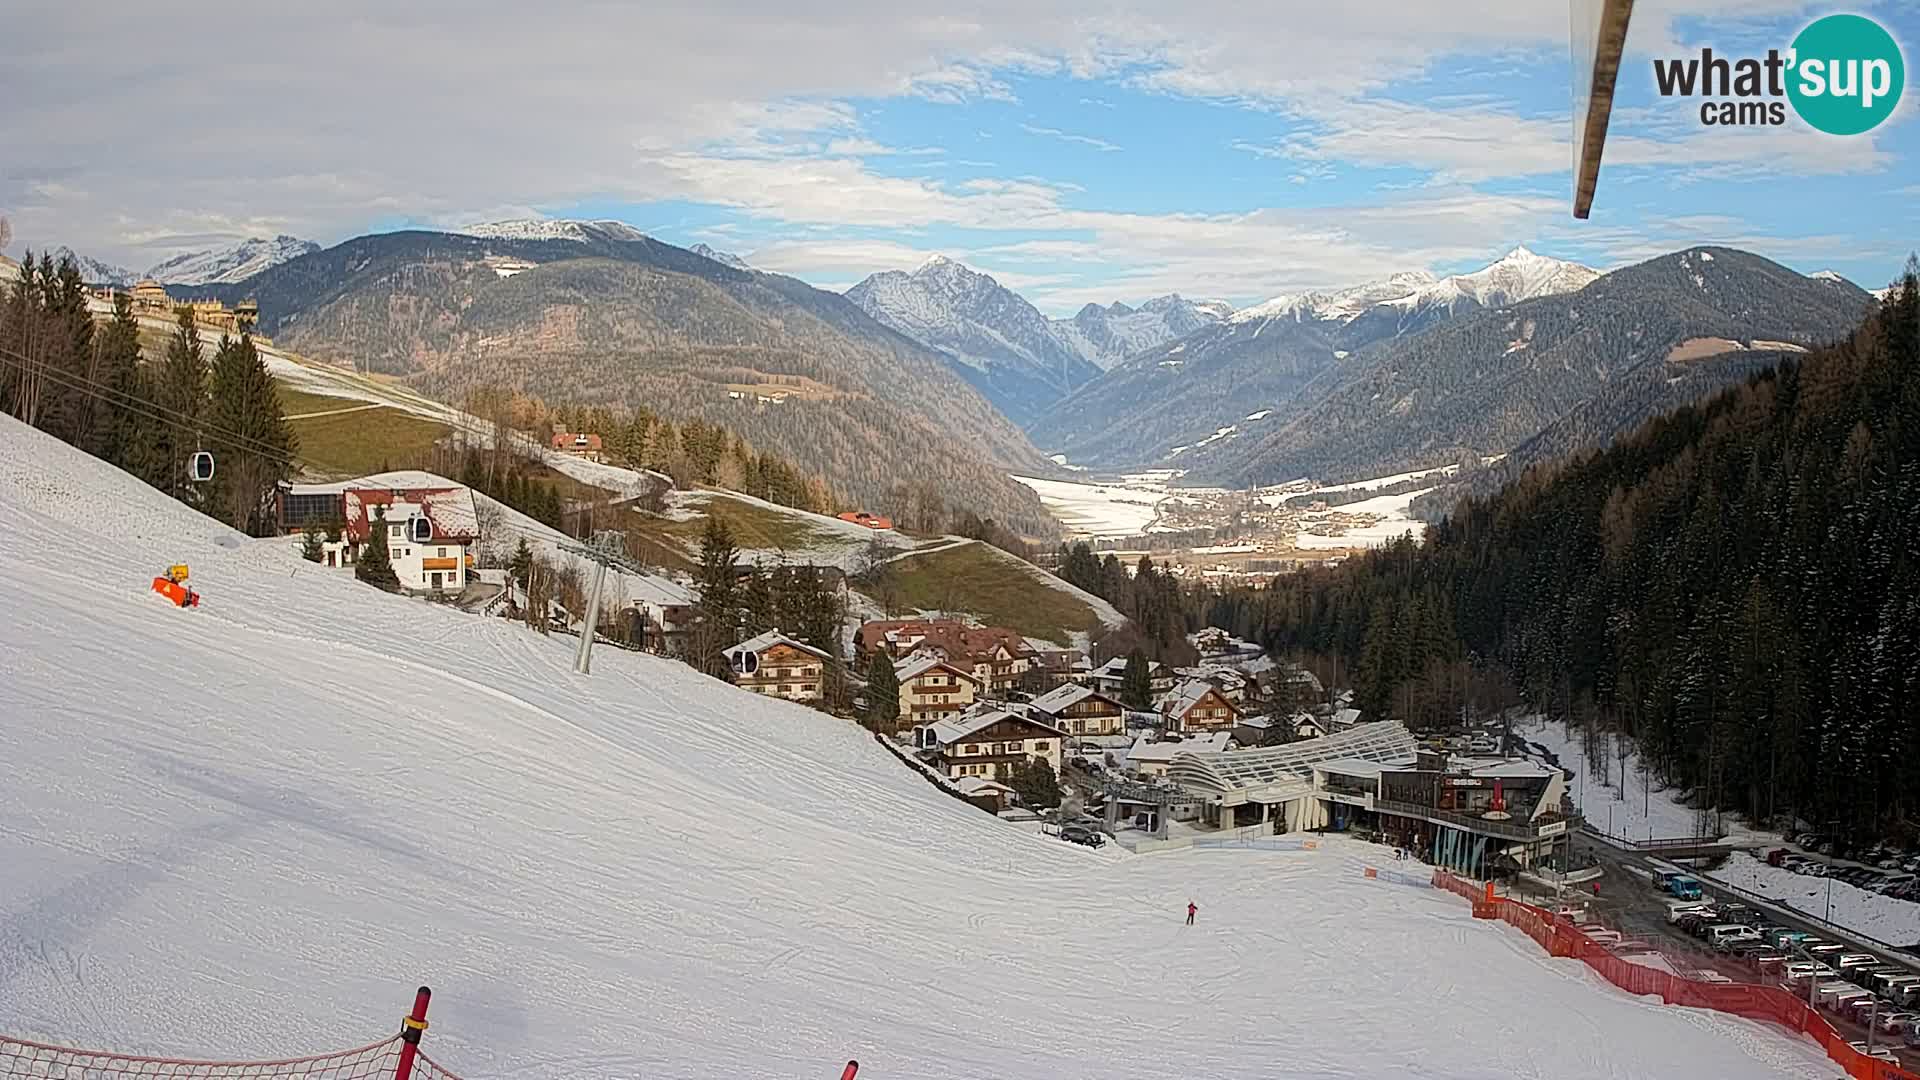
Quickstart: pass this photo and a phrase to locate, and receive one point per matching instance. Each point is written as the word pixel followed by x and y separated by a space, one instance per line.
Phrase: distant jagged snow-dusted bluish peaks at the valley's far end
pixel 1005 347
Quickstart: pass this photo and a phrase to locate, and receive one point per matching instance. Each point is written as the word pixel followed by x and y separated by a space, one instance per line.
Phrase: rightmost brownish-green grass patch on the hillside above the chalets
pixel 994 587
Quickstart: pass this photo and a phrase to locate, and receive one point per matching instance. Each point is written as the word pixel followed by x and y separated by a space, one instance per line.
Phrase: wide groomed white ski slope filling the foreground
pixel 254 827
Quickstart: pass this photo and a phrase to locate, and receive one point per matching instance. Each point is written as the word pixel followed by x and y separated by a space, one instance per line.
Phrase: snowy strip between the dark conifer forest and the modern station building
pixel 1623 804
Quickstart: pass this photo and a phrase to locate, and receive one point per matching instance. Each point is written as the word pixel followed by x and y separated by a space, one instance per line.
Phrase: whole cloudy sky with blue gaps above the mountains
pixel 1088 153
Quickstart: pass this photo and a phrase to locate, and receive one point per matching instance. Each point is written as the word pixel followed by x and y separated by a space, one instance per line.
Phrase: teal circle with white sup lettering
pixel 1848 74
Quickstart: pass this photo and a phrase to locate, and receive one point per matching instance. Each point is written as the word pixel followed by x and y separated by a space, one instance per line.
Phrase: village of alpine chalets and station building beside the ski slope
pixel 1118 750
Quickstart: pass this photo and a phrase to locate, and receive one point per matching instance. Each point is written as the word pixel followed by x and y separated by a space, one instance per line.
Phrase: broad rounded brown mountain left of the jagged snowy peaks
pixel 602 312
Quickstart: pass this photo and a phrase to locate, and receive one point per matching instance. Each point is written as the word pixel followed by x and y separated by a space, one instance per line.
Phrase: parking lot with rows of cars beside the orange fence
pixel 1629 906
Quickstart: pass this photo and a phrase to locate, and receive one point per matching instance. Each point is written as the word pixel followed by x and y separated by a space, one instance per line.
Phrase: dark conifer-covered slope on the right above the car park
pixel 1735 585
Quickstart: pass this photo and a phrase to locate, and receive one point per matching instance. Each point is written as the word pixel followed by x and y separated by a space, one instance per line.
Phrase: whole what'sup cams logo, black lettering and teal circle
pixel 1842 76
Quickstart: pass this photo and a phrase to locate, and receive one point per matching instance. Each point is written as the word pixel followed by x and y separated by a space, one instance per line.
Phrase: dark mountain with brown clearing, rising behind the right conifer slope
pixel 1548 376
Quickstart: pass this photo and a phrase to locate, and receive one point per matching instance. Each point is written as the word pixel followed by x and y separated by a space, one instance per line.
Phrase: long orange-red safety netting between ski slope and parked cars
pixel 1758 1002
